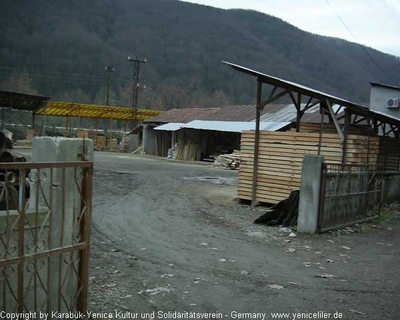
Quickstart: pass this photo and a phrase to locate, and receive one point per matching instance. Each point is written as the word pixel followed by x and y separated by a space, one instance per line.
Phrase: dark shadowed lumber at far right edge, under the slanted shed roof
pixel 389 153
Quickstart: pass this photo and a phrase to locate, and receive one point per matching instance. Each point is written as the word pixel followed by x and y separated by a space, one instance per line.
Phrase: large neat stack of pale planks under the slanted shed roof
pixel 281 155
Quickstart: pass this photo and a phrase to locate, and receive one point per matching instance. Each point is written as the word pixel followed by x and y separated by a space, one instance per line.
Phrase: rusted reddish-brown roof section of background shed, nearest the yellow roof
pixel 181 115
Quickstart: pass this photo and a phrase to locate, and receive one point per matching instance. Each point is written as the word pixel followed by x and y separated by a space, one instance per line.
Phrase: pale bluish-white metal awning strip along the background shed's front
pixel 233 126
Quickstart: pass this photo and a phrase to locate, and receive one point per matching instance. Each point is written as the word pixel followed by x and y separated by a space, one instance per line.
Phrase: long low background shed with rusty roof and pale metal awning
pixel 202 134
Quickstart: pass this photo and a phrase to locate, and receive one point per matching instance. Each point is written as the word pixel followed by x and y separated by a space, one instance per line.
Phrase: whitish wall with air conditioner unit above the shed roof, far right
pixel 378 98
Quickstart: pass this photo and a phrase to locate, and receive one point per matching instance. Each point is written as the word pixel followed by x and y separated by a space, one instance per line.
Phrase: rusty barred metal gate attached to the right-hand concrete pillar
pixel 349 194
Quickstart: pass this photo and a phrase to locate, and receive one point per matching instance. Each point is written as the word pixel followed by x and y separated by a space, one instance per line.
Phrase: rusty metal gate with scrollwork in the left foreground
pixel 45 212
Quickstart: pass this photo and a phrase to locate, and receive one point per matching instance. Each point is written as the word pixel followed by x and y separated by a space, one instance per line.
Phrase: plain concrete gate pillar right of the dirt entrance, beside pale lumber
pixel 307 221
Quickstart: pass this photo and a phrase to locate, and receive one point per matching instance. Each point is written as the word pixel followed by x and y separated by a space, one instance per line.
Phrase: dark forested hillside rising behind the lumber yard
pixel 60 49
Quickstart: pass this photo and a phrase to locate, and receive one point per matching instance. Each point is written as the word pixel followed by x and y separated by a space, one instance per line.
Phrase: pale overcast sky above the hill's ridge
pixel 374 23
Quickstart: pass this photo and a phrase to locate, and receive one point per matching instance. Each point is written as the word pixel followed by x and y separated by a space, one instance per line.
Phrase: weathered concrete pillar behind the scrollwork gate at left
pixel 58 196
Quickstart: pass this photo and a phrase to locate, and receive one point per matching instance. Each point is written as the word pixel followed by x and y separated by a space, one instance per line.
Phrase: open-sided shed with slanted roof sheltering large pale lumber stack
pixel 347 133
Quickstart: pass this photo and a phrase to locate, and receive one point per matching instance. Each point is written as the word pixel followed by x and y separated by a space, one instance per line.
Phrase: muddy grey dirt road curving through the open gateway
pixel 168 236
